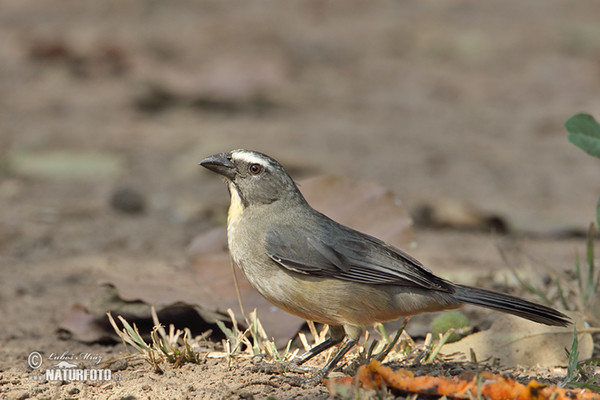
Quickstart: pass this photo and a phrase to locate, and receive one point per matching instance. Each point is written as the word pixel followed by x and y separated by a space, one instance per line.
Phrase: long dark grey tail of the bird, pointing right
pixel 512 305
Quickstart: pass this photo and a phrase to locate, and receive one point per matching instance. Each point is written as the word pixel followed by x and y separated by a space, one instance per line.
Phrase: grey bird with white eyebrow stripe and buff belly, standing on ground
pixel 311 266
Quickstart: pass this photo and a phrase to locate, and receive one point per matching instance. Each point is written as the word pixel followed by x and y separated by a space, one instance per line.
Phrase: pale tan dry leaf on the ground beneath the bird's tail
pixel 515 341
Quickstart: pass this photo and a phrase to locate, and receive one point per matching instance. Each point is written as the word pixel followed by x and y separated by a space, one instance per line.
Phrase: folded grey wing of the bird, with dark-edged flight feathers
pixel 349 255
